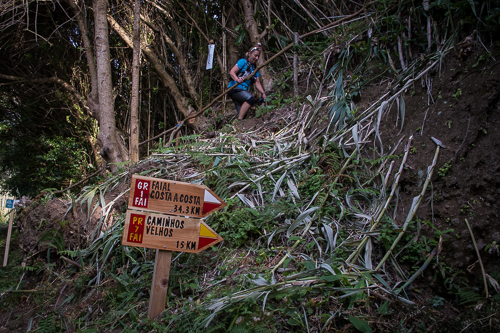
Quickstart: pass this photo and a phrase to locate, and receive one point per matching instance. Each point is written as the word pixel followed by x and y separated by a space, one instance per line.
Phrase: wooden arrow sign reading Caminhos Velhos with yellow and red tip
pixel 164 232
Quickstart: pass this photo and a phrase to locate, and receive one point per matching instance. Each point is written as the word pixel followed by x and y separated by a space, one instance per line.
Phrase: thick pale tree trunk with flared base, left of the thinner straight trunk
pixel 112 147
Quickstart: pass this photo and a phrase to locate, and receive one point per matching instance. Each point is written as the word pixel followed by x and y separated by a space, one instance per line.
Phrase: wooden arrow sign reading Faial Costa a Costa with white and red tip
pixel 172 197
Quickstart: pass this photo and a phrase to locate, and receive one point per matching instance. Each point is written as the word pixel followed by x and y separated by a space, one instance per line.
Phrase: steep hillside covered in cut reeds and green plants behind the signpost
pixel 359 225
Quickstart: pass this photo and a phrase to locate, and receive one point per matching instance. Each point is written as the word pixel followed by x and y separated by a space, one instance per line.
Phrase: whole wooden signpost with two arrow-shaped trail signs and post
pixel 177 231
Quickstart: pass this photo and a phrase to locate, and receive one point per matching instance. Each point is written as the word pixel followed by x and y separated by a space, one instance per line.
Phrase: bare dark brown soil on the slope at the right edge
pixel 463 115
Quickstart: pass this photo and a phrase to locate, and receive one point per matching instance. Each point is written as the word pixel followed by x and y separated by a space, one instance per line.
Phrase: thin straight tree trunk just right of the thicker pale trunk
pixel 134 122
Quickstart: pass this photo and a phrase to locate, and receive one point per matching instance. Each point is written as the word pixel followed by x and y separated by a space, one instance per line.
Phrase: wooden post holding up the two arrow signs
pixel 159 287
